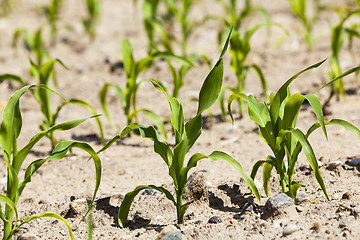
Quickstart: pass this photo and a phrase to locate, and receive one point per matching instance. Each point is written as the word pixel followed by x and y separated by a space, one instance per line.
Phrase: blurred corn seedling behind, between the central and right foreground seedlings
pixel 239 49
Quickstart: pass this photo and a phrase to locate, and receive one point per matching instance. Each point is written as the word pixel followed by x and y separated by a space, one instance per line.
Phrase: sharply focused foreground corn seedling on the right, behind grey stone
pixel 277 127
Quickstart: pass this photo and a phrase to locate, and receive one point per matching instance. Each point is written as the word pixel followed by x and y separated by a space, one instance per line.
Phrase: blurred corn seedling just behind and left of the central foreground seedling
pixel 128 95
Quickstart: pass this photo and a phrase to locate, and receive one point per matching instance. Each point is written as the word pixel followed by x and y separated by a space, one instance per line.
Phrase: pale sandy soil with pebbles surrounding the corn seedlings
pixel 132 161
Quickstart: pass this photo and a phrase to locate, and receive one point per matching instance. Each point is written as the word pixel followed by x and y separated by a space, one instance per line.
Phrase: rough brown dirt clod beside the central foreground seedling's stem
pixel 196 188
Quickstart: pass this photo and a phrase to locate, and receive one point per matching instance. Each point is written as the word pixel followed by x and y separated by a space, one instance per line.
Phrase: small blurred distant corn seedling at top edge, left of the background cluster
pixel 89 23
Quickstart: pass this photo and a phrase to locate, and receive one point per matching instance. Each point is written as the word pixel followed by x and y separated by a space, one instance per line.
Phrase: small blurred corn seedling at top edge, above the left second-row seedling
pixel 52 14
